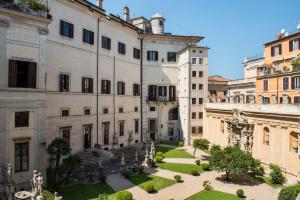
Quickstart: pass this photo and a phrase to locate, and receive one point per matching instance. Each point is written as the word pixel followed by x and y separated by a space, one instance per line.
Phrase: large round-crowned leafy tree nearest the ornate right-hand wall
pixel 231 160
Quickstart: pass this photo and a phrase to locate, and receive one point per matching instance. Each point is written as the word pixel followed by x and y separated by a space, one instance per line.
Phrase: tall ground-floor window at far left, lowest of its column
pixel 21 157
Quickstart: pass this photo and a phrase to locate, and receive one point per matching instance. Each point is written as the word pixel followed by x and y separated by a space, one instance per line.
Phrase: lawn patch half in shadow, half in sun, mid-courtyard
pixel 142 180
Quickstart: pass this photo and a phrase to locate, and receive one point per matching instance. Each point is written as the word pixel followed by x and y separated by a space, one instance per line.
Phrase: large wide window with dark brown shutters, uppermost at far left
pixel 22 74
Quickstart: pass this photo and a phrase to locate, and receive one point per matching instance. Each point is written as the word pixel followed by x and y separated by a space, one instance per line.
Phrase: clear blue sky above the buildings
pixel 232 29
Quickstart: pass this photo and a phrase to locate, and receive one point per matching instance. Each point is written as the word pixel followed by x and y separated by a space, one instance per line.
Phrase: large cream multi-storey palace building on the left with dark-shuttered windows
pixel 95 80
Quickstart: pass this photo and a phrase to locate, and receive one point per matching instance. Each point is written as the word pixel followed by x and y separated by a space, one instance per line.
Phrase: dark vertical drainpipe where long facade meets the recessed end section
pixel 141 37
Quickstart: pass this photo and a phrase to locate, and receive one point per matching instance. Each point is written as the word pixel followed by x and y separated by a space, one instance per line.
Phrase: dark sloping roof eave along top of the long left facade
pixel 101 11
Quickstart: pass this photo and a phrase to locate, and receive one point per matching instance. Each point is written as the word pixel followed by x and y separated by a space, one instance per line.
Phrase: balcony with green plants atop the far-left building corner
pixel 31 7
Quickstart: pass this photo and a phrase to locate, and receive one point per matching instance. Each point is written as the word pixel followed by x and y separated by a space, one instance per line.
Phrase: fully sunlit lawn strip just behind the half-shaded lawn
pixel 182 168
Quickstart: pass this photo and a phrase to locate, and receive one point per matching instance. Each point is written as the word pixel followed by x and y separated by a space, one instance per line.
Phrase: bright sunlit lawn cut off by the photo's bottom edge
pixel 213 195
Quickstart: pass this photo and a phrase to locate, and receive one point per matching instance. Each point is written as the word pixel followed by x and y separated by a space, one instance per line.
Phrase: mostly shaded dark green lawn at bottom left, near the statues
pixel 87 192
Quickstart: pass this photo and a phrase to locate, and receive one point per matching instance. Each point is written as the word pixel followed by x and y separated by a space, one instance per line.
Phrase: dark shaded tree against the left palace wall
pixel 57 149
